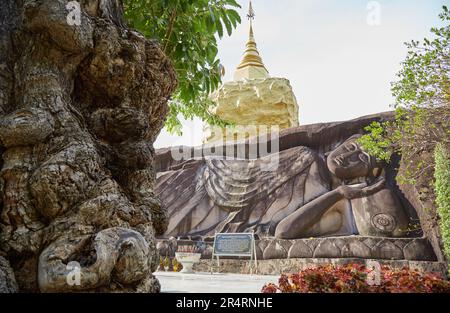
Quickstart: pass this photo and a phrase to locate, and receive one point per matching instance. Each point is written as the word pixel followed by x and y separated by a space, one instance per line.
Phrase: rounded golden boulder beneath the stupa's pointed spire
pixel 268 101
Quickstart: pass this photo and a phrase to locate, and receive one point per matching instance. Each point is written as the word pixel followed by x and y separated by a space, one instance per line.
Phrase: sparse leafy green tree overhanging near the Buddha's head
pixel 422 95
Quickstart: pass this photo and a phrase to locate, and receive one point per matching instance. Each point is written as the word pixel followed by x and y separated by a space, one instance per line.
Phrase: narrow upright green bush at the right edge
pixel 442 190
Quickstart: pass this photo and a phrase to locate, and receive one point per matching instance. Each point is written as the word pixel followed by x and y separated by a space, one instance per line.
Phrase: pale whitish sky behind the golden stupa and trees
pixel 340 65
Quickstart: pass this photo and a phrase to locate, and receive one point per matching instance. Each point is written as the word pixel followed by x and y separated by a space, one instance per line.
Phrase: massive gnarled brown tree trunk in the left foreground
pixel 80 106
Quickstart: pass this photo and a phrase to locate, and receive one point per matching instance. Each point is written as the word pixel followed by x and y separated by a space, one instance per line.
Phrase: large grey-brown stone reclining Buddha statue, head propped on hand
pixel 342 192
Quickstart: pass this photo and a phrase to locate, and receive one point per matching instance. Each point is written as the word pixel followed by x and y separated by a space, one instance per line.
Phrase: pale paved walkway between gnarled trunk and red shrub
pixel 217 283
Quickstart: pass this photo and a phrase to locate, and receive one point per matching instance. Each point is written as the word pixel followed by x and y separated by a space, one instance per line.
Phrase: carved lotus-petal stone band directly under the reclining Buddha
pixel 361 247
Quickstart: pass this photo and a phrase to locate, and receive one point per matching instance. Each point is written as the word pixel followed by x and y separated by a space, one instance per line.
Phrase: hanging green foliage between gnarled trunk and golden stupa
pixel 187 31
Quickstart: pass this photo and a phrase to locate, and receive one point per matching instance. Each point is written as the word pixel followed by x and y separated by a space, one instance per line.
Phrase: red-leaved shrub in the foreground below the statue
pixel 354 278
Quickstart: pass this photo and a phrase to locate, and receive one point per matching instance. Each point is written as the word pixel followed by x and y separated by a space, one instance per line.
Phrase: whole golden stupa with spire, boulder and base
pixel 253 100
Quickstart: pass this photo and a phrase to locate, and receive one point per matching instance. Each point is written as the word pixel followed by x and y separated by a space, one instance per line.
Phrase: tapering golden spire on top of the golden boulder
pixel 251 66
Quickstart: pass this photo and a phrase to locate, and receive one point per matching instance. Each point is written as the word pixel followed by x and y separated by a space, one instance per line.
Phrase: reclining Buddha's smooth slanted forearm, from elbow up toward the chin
pixel 294 225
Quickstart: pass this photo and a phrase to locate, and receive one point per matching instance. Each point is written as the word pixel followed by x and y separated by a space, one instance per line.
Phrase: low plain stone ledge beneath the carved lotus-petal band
pixel 289 266
